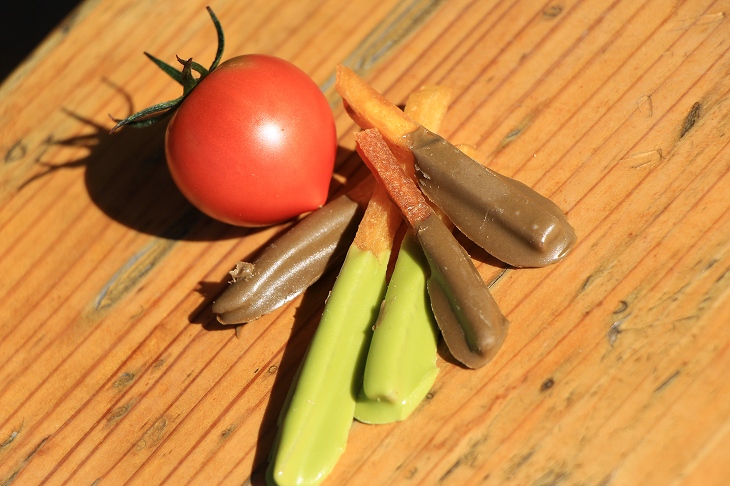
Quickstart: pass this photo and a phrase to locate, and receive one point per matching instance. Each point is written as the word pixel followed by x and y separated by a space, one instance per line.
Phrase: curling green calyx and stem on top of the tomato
pixel 184 76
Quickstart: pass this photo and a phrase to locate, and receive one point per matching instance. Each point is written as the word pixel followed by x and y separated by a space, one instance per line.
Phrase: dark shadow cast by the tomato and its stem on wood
pixel 126 177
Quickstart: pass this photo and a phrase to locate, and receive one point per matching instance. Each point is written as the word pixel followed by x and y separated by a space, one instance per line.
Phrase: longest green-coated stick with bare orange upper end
pixel 315 422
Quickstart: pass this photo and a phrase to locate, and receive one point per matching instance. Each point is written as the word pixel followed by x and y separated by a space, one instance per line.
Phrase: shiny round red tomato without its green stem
pixel 254 143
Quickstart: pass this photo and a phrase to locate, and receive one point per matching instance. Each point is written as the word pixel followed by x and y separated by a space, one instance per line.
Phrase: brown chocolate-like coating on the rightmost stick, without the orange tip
pixel 505 217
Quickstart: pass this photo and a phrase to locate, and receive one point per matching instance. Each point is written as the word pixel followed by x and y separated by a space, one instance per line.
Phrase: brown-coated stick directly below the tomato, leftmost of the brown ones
pixel 295 260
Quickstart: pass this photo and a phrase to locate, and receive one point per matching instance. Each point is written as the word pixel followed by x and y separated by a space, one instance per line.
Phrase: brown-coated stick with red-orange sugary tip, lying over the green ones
pixel 470 320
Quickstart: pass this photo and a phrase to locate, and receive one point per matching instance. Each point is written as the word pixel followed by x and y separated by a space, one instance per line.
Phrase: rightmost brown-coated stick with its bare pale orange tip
pixel 506 218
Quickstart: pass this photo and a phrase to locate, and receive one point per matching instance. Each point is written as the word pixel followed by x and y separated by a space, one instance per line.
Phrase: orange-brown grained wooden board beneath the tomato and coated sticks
pixel 113 370
